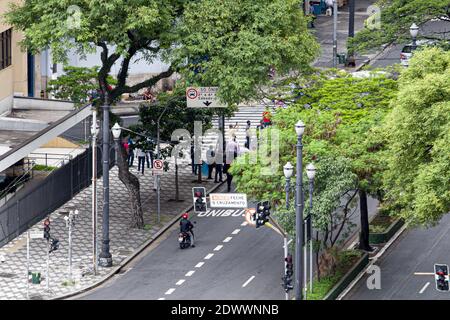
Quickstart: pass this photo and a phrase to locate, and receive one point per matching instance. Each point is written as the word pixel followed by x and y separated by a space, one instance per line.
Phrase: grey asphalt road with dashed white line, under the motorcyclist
pixel 230 261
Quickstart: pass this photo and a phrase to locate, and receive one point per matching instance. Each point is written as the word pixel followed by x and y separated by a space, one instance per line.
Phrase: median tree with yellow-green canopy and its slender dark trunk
pixel 342 115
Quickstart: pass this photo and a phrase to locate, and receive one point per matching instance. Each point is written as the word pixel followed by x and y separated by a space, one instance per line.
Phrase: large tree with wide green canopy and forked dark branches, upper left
pixel 211 42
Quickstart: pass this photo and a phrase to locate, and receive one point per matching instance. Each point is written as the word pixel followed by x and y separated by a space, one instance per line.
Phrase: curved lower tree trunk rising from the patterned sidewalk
pixel 131 182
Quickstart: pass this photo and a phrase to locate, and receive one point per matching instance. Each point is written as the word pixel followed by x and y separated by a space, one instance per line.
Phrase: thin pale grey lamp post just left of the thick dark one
pixel 94 133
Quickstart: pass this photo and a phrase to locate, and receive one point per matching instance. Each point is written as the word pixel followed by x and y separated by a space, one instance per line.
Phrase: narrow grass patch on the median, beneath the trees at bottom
pixel 346 260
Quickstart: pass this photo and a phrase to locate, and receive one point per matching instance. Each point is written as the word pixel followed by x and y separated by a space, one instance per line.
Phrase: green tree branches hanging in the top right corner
pixel 396 18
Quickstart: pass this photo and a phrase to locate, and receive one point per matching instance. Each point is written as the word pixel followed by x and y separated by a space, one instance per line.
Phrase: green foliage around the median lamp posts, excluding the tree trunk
pixel 343 116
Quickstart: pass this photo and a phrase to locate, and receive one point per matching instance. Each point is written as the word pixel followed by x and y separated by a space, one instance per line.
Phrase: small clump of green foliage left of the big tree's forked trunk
pixel 76 83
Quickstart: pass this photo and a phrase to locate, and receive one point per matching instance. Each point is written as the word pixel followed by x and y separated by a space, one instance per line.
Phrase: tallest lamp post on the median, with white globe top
pixel 299 129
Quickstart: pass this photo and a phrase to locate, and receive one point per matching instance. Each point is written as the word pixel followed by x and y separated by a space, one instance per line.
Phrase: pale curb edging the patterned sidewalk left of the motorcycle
pixel 138 251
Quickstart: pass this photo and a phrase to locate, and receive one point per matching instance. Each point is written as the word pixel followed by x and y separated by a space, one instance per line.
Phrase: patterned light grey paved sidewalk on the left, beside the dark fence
pixel 124 241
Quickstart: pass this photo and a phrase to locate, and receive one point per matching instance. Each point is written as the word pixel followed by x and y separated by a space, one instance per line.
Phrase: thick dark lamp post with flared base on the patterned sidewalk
pixel 105 258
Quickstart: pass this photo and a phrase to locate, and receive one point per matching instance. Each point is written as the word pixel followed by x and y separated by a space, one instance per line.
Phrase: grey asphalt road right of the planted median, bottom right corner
pixel 416 251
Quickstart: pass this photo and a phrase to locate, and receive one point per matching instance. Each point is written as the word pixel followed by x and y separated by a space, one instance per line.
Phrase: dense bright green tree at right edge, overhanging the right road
pixel 418 136
